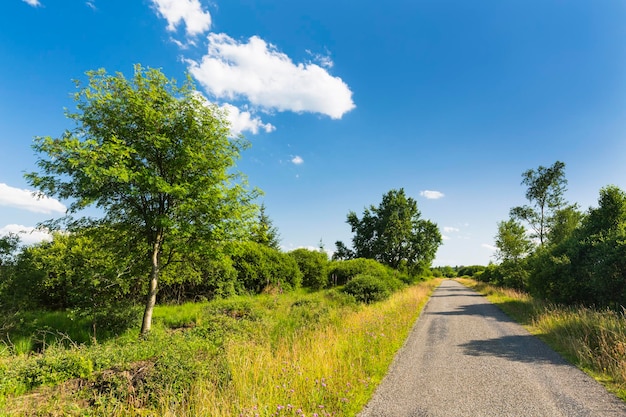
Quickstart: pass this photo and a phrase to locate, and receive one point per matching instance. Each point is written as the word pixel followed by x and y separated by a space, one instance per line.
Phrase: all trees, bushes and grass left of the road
pixel 178 299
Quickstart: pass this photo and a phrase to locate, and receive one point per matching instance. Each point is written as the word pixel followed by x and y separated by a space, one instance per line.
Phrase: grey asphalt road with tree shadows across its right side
pixel 464 357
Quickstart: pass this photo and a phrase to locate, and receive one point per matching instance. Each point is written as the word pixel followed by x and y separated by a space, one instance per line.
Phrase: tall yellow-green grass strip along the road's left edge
pixel 328 370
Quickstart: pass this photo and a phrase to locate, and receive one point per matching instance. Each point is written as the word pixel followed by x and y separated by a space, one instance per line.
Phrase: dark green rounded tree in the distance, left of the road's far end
pixel 394 234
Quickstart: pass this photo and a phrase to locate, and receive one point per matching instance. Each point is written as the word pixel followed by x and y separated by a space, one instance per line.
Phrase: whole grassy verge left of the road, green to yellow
pixel 295 354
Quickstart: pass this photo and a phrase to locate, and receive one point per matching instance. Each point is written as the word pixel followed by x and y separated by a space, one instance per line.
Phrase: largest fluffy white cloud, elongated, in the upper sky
pixel 259 73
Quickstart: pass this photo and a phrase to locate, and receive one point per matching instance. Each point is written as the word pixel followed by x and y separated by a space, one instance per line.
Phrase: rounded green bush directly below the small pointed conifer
pixel 260 268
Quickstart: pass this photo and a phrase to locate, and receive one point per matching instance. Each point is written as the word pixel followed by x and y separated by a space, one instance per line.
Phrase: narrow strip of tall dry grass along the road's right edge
pixel 594 340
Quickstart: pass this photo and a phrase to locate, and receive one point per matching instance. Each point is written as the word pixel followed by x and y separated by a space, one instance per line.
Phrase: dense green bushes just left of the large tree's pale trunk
pixel 81 272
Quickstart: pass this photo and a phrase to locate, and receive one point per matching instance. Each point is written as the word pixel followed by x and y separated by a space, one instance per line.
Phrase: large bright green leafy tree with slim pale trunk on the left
pixel 156 158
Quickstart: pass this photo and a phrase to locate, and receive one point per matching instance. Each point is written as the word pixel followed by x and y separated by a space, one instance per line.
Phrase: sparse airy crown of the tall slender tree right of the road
pixel 546 187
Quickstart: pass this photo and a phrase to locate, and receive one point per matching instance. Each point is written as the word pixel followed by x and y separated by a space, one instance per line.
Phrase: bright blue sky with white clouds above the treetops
pixel 343 101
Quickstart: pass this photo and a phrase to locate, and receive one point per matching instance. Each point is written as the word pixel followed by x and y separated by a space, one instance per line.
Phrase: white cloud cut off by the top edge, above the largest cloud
pixel 189 11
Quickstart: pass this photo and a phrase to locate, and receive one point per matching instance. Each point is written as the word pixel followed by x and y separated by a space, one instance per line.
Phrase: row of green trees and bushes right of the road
pixel 556 251
